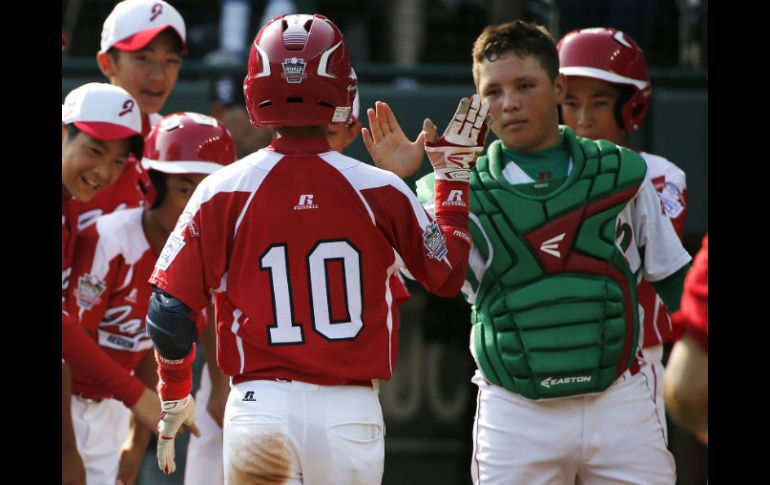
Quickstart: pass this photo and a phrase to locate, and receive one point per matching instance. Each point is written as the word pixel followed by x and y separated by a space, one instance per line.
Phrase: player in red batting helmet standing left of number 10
pixel 113 260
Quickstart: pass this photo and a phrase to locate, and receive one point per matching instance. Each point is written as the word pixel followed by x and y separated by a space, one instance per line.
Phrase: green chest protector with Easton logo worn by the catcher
pixel 556 309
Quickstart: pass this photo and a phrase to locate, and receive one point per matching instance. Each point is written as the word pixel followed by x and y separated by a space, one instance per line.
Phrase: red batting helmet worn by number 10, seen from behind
pixel 299 73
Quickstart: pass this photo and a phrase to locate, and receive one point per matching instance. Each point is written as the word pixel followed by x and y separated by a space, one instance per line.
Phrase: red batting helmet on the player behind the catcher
pixel 612 56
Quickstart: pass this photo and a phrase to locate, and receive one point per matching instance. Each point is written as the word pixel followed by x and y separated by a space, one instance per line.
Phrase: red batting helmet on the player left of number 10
pixel 188 143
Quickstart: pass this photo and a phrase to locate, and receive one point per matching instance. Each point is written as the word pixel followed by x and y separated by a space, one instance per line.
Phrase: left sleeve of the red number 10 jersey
pixel 193 262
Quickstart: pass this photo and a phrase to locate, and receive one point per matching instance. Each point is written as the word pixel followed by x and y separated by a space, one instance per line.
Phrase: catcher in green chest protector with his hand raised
pixel 563 228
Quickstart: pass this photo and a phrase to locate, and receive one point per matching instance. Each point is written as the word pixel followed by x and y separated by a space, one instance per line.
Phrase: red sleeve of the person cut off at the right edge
pixel 693 314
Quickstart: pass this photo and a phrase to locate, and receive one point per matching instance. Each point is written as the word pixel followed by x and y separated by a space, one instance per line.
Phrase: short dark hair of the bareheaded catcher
pixel 522 38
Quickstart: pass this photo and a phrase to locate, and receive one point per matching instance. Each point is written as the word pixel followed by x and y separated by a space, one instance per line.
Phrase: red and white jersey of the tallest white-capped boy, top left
pixel 132 189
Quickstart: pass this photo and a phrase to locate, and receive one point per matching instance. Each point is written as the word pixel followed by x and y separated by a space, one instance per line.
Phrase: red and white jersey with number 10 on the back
pixel 297 244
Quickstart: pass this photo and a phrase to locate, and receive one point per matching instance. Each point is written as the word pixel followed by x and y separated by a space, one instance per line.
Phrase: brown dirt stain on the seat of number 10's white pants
pixel 261 459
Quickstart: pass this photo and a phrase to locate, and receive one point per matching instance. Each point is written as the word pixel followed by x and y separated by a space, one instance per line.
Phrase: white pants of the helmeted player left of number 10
pixel 101 428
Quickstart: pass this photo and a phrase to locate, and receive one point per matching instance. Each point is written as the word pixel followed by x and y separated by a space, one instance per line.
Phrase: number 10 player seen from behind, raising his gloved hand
pixel 296 243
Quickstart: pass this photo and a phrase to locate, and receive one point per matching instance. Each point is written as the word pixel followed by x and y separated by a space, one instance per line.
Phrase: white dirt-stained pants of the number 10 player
pixel 298 433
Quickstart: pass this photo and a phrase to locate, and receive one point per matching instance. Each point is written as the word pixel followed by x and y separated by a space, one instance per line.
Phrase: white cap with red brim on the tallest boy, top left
pixel 133 24
